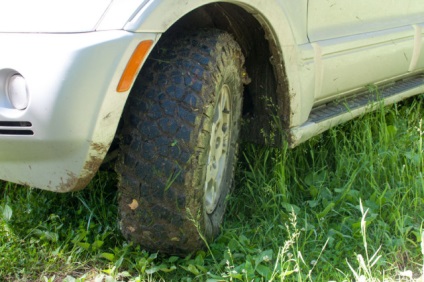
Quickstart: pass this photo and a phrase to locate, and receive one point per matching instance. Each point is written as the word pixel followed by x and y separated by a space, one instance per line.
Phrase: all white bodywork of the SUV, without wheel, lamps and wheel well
pixel 72 55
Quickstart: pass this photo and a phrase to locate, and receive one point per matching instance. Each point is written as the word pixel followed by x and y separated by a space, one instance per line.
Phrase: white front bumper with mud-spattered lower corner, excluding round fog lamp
pixel 58 142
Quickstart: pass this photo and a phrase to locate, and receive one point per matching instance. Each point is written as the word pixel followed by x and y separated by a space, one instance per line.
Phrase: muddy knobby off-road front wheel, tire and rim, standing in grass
pixel 179 142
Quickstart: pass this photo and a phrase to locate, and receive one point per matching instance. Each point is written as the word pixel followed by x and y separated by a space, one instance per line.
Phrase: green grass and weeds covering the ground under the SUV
pixel 347 205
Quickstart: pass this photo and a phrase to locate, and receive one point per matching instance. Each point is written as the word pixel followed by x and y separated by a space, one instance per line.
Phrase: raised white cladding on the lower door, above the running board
pixel 339 63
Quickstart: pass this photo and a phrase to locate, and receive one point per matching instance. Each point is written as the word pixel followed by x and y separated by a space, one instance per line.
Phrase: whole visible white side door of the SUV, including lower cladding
pixel 361 42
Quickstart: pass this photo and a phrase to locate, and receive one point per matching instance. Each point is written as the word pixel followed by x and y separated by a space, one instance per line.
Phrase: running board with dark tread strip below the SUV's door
pixel 342 110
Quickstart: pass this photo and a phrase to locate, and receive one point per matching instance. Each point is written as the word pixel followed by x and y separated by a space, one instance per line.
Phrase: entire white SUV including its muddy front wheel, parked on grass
pixel 170 82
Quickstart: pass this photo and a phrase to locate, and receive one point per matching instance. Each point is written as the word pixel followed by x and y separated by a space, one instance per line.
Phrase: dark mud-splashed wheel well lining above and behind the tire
pixel 265 101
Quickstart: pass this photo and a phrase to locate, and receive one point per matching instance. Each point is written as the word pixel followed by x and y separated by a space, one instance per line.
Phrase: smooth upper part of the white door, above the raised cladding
pixel 329 19
